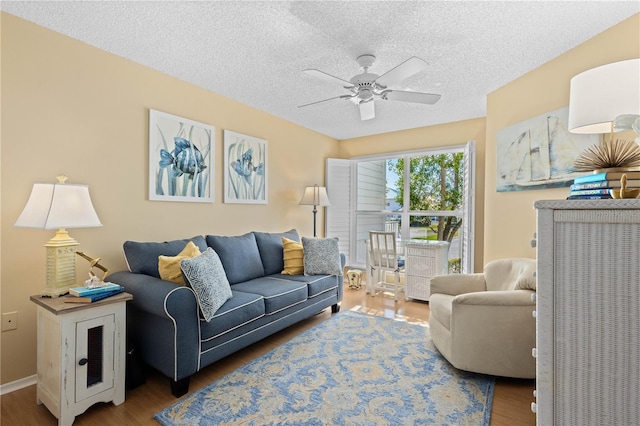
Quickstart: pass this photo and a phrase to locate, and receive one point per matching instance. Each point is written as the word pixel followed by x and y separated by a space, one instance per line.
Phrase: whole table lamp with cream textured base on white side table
pixel 59 206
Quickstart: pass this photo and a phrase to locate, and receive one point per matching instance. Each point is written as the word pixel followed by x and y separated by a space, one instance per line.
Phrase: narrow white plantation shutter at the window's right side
pixel 468 209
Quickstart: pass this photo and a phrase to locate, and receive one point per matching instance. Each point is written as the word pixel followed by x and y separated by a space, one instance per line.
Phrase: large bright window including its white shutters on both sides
pixel 419 195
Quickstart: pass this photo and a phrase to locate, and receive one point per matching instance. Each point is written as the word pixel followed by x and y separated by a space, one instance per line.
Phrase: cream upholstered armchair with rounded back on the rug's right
pixel 483 322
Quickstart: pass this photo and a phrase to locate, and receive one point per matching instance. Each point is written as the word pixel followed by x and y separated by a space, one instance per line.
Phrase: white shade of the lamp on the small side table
pixel 60 205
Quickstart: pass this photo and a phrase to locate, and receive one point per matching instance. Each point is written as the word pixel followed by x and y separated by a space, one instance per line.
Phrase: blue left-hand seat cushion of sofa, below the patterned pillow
pixel 241 309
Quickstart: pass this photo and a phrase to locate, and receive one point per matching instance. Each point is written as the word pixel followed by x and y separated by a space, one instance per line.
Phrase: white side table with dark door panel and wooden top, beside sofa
pixel 81 354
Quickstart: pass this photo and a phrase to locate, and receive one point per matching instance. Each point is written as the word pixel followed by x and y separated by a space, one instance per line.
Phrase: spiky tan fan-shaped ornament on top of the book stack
pixel 618 153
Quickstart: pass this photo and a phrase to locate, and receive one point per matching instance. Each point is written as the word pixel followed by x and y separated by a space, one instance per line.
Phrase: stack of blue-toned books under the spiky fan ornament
pixel 599 185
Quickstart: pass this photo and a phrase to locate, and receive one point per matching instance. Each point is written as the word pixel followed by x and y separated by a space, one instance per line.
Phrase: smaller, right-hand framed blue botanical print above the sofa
pixel 245 169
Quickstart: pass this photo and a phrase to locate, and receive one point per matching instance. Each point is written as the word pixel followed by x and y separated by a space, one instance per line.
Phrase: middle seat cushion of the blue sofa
pixel 278 294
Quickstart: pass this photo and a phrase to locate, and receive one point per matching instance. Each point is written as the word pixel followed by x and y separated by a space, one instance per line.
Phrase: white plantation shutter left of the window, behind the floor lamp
pixel 338 216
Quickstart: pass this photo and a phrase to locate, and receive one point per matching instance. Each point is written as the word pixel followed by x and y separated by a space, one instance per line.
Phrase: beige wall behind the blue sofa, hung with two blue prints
pixel 74 109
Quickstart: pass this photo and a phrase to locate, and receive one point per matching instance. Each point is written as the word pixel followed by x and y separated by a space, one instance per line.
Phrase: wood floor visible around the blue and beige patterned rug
pixel 511 402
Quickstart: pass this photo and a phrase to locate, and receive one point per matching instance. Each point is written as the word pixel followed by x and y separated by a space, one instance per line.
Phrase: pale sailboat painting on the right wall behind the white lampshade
pixel 539 153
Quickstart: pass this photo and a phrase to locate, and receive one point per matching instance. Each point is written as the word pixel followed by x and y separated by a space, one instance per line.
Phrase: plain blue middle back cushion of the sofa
pixel 239 256
